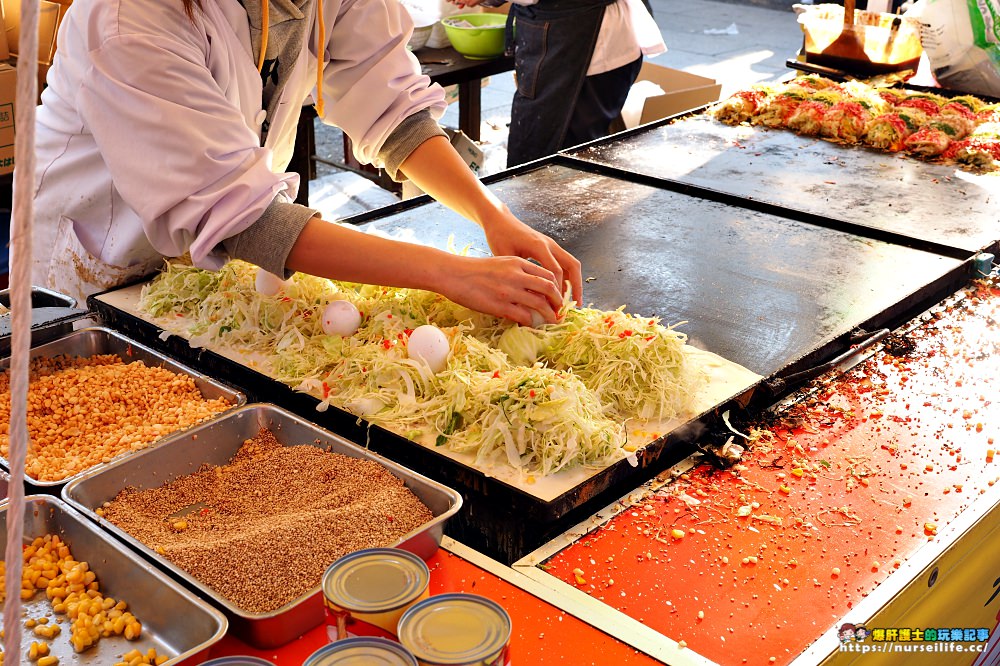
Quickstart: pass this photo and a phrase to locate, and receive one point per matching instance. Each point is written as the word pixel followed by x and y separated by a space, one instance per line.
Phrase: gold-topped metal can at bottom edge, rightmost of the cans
pixel 457 630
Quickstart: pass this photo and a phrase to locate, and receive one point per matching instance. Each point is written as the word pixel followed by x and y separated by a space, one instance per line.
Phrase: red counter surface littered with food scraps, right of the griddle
pixel 841 490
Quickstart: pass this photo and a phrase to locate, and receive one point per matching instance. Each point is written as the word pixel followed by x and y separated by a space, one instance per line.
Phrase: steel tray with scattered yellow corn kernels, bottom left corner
pixel 130 609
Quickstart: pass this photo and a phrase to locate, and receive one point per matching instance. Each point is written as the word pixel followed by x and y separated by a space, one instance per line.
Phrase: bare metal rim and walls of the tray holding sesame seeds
pixel 216 442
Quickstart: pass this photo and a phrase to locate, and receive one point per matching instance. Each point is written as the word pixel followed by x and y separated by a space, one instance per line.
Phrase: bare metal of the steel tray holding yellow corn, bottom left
pixel 174 621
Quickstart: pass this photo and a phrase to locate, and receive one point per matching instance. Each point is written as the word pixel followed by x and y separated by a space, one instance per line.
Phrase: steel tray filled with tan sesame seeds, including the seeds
pixel 250 509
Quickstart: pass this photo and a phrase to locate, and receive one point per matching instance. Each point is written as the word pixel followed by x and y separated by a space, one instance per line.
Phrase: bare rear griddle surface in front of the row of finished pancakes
pixel 931 202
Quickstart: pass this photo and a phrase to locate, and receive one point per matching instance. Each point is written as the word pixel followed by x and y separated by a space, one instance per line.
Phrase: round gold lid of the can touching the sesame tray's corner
pixel 375 580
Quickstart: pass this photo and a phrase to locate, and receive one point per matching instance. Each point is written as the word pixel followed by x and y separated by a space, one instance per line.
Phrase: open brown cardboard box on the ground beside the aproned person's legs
pixel 660 92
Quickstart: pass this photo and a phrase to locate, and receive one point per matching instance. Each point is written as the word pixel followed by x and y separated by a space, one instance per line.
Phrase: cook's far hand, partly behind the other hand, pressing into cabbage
pixel 507 235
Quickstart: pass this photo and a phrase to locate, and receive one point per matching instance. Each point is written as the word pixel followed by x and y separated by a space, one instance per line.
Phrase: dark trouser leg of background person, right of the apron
pixel 599 103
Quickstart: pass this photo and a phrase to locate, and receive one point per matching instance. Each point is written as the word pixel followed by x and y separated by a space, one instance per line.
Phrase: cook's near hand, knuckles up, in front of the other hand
pixel 503 286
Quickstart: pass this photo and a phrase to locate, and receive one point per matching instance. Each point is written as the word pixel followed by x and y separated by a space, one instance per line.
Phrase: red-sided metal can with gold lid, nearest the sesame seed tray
pixel 375 586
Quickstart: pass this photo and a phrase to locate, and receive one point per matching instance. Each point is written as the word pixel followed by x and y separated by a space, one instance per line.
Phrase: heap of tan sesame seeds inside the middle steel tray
pixel 261 530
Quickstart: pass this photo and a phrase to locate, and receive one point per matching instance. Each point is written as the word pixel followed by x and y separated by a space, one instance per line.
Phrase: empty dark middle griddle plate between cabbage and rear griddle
pixel 764 291
